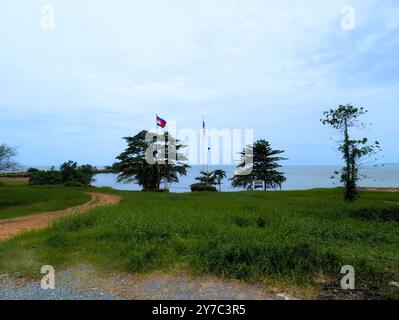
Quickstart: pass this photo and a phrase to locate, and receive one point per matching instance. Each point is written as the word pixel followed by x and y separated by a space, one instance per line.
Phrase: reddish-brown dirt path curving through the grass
pixel 11 227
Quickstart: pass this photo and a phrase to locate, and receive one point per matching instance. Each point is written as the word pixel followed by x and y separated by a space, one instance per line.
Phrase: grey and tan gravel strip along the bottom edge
pixel 82 283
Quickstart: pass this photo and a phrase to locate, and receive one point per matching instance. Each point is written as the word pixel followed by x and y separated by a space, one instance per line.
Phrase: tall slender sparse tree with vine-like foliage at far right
pixel 353 150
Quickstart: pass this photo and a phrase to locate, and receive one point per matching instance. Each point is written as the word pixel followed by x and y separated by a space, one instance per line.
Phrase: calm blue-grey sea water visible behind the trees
pixel 298 178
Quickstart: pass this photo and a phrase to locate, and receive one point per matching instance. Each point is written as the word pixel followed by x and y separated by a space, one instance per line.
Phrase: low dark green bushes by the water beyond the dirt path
pixel 70 174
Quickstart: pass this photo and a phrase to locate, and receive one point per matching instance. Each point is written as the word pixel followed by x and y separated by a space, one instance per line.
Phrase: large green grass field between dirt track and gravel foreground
pixel 289 237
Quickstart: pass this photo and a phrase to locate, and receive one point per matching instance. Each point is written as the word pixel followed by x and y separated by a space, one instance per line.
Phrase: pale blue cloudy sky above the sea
pixel 73 83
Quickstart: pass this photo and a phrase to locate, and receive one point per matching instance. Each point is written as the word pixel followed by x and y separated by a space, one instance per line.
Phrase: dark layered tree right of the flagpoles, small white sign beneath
pixel 265 164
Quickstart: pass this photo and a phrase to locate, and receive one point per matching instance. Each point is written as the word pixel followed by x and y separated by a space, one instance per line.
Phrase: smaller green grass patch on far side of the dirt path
pixel 18 200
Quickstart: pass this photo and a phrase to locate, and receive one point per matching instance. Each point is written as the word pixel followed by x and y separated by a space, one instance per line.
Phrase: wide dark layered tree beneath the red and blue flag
pixel 165 165
